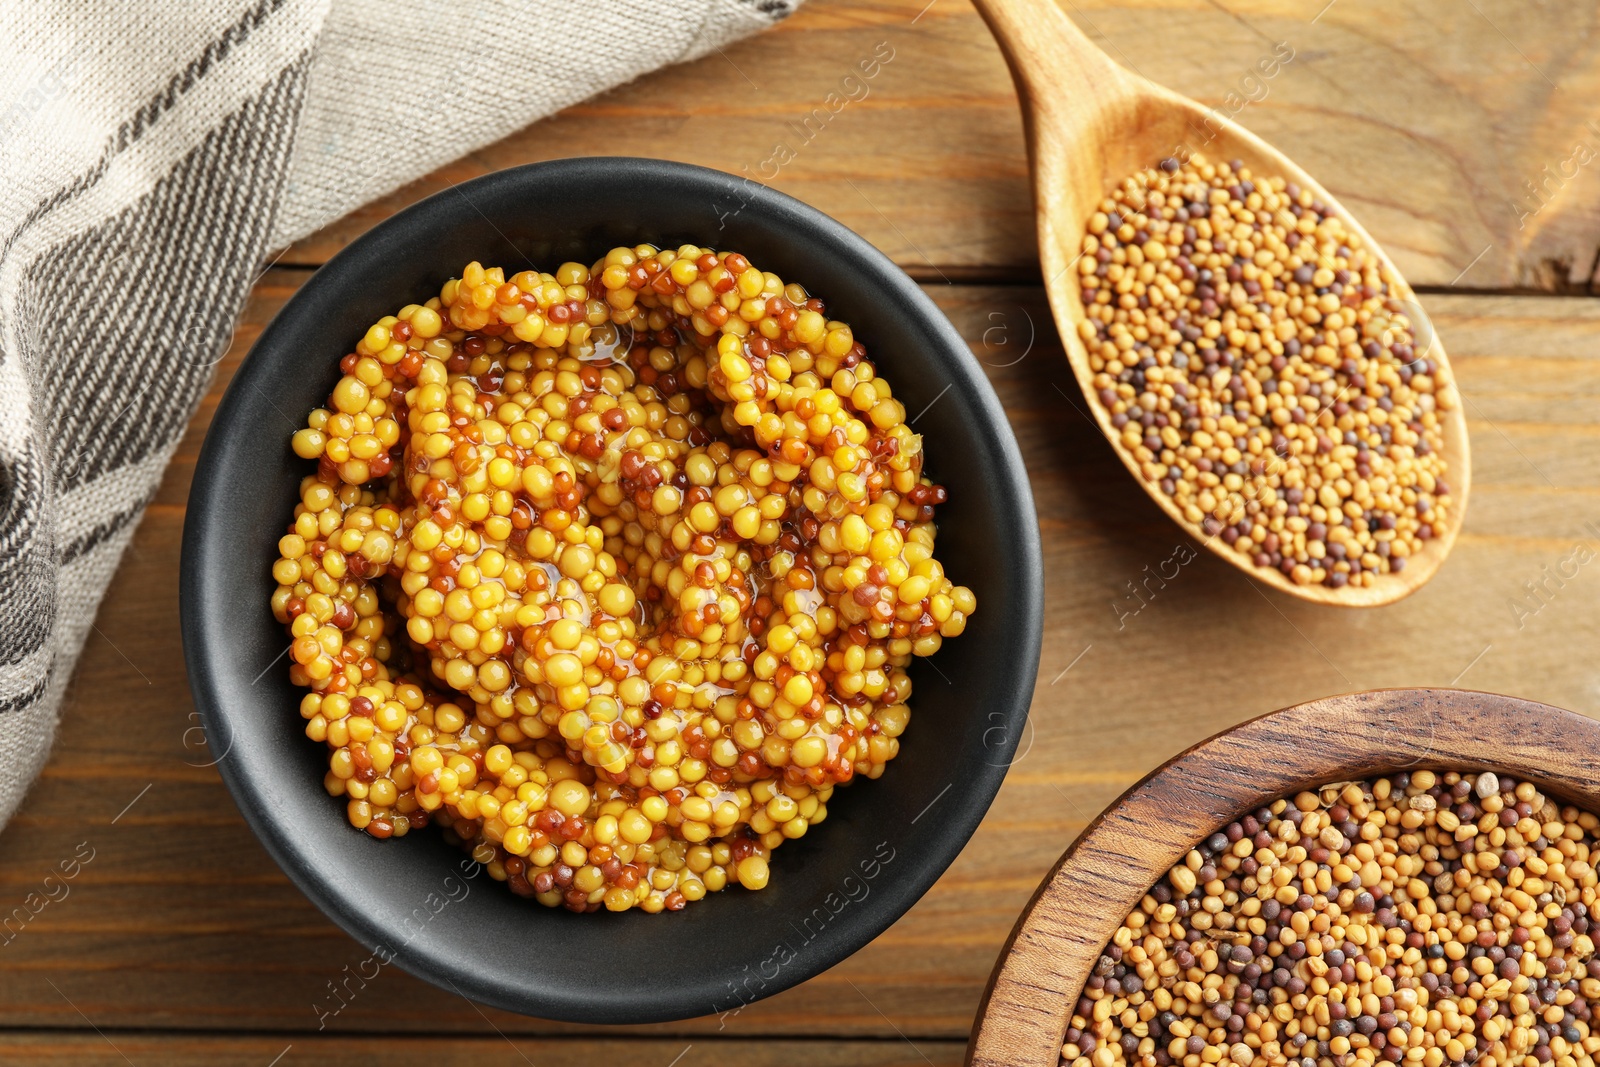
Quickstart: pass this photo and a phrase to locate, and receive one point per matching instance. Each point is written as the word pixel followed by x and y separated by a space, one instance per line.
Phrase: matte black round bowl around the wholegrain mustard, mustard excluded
pixel 886 842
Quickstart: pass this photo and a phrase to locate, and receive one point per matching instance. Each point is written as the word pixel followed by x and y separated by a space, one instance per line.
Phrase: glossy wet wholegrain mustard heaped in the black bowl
pixel 614 573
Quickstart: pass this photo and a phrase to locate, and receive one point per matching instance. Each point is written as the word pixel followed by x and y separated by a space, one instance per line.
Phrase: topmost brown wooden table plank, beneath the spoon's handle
pixel 1450 130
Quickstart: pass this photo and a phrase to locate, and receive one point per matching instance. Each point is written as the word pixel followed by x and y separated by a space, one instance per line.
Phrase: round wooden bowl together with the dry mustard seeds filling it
pixel 1383 879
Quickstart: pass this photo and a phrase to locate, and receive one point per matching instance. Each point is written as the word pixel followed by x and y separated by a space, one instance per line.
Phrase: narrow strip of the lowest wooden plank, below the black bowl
pixel 118 1049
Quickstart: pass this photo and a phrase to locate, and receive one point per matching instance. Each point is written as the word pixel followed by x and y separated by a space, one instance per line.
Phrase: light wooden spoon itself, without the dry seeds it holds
pixel 1090 126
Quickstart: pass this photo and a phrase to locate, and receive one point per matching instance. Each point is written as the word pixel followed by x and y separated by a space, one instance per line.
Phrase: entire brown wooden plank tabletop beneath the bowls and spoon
pixel 182 943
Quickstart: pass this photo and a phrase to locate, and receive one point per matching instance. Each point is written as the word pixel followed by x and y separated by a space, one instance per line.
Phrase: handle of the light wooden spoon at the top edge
pixel 1055 66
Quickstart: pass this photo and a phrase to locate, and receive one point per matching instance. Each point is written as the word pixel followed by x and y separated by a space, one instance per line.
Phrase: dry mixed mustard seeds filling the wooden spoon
pixel 1257 362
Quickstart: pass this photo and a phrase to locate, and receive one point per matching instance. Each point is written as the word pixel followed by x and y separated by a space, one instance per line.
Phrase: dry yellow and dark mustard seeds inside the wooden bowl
pixel 1426 919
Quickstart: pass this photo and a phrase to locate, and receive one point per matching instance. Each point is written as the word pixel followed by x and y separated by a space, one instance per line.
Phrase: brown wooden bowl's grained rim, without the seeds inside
pixel 1134 844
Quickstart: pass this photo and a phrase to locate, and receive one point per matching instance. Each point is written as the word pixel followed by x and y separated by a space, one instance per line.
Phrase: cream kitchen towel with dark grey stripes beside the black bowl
pixel 151 156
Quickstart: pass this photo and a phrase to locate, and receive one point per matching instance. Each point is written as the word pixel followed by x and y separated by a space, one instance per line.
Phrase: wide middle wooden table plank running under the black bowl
pixel 183 922
